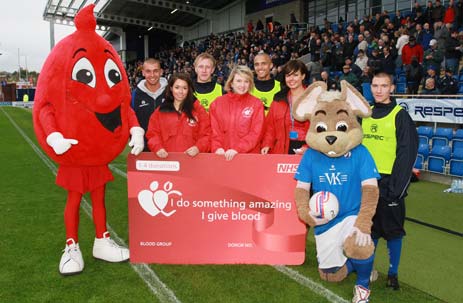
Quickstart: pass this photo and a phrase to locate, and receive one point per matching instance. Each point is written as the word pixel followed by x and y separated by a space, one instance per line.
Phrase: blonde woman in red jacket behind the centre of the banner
pixel 237 117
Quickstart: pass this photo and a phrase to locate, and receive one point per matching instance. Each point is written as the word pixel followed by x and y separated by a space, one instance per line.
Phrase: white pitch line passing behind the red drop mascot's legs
pixel 156 286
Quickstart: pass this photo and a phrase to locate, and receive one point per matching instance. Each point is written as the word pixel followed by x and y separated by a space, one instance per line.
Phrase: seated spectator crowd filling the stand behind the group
pixel 414 45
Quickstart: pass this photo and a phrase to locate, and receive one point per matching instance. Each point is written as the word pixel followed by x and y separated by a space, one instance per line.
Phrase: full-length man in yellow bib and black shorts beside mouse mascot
pixel 391 138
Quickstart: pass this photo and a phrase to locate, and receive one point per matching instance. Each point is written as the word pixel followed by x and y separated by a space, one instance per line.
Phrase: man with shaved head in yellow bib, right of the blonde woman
pixel 265 87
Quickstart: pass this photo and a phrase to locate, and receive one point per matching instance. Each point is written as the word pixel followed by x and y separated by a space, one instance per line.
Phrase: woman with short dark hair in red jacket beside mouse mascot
pixel 283 134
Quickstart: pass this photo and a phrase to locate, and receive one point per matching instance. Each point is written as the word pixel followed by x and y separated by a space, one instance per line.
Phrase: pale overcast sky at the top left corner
pixel 22 26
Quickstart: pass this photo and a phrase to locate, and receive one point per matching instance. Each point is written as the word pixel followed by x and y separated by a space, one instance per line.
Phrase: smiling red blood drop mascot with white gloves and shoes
pixel 82 119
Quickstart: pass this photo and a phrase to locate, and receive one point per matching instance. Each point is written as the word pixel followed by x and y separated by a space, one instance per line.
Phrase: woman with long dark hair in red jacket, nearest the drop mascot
pixel 180 124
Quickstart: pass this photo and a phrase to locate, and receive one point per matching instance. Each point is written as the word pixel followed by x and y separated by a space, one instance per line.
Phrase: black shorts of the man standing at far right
pixel 388 222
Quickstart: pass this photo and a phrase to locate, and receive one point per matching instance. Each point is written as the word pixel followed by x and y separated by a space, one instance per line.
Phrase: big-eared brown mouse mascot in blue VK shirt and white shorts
pixel 338 163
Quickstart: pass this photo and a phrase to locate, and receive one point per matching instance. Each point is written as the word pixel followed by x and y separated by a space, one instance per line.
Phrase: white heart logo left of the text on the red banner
pixel 154 201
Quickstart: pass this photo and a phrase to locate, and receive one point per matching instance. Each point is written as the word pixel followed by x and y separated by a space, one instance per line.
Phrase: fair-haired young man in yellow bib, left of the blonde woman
pixel 206 90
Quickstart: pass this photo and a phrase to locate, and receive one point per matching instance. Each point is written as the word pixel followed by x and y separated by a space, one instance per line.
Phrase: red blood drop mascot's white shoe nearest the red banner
pixel 106 249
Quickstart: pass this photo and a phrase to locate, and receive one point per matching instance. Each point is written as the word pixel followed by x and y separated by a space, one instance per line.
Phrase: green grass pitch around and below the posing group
pixel 32 238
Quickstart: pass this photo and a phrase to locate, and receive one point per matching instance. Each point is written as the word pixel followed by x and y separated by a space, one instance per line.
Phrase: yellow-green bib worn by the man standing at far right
pixel 380 140
